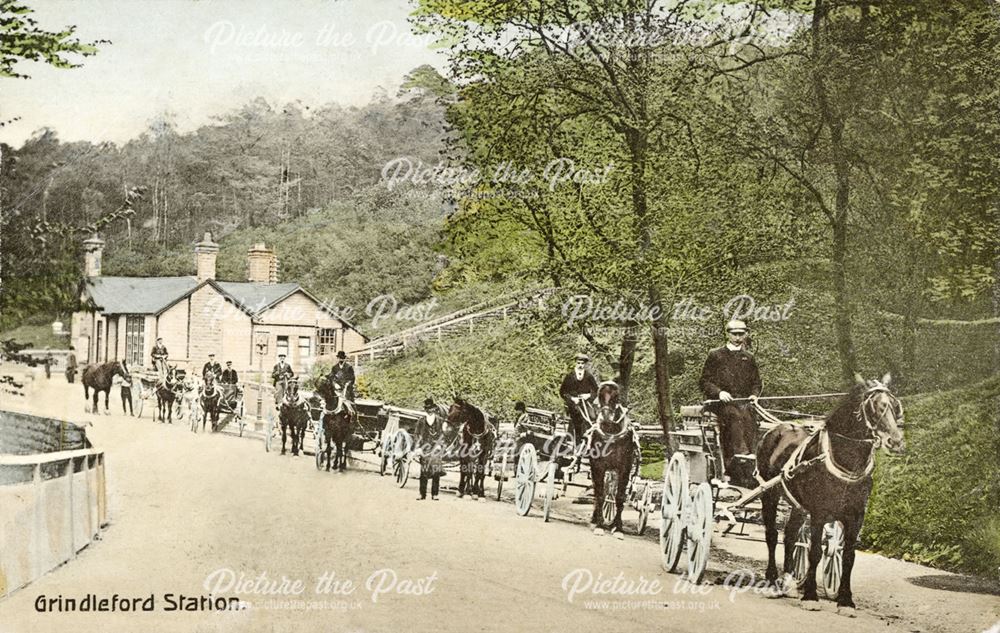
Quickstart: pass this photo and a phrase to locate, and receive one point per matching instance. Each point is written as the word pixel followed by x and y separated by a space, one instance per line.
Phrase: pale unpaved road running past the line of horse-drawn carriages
pixel 183 506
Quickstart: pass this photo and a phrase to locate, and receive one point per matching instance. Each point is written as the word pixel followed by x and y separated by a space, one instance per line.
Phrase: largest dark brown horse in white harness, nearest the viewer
pixel 827 475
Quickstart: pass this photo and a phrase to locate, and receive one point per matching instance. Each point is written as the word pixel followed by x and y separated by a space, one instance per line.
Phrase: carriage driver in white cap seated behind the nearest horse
pixel 731 379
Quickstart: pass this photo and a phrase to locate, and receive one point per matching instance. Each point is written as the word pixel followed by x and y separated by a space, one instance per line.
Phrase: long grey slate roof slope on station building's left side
pixel 137 295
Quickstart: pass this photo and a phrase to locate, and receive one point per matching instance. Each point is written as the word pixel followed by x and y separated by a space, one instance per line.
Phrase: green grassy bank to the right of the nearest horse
pixel 937 505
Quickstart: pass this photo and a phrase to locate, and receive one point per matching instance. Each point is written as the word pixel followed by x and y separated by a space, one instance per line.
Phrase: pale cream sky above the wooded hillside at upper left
pixel 199 58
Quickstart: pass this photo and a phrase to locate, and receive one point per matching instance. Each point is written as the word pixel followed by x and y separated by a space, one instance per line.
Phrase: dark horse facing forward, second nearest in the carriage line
pixel 612 447
